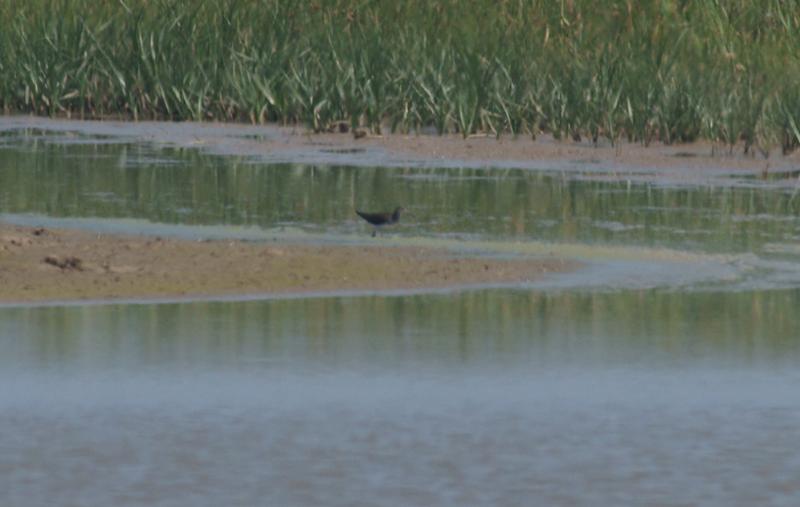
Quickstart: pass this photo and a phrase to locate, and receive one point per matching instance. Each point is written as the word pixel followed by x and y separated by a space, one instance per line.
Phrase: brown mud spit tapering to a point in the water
pixel 40 265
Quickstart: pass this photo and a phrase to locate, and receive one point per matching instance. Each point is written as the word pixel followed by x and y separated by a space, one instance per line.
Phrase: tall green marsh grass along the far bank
pixel 726 71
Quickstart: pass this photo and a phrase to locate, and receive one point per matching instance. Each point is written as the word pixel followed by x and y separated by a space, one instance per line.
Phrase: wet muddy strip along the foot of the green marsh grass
pixel 696 163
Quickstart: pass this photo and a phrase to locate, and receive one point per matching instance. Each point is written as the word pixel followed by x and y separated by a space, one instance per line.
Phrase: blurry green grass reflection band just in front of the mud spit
pixel 492 328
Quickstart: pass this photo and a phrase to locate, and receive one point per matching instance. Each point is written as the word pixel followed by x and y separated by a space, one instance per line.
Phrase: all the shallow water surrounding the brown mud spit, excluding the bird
pixel 663 374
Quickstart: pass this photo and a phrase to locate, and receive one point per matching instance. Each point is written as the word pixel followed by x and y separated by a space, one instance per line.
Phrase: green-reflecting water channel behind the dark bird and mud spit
pixel 39 174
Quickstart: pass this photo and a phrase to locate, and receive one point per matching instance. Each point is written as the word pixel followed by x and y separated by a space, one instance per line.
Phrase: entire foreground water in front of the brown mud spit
pixel 484 398
